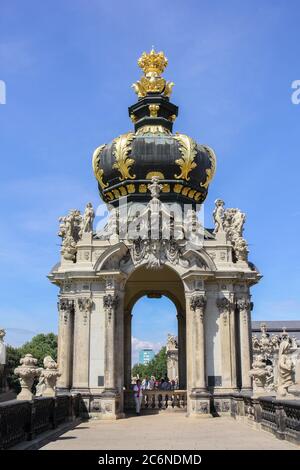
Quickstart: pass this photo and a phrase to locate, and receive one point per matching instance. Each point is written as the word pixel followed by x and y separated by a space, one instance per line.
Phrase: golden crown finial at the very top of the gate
pixel 153 64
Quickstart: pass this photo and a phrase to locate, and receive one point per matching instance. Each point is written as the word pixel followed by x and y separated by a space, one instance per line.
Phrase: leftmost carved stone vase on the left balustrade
pixel 27 372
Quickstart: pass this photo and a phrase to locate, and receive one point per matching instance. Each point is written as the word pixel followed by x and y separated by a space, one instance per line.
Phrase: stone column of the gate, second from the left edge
pixel 82 344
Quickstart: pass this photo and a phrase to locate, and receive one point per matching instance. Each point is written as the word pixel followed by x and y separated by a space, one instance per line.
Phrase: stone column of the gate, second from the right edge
pixel 224 305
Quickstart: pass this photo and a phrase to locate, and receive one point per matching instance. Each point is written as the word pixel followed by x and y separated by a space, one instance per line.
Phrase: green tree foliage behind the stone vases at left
pixel 40 346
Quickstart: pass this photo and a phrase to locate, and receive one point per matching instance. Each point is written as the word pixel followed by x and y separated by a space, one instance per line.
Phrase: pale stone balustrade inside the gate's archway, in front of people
pixel 159 400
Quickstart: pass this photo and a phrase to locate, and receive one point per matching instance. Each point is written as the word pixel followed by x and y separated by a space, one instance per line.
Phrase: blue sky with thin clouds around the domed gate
pixel 68 67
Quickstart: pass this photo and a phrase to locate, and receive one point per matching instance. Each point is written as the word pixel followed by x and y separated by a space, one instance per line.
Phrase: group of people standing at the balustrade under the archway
pixel 151 384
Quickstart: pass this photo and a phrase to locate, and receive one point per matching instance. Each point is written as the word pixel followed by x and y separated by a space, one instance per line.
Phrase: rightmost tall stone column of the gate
pixel 244 306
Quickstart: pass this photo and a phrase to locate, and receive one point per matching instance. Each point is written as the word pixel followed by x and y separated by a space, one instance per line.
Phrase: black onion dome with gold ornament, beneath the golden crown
pixel 125 166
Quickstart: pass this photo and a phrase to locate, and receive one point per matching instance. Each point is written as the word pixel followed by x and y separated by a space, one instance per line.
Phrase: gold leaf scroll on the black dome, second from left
pixel 122 146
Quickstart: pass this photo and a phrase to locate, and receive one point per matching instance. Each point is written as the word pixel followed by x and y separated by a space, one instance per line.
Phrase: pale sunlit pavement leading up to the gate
pixel 165 431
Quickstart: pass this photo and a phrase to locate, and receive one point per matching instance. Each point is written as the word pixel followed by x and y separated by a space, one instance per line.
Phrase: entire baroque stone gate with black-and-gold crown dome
pixel 154 183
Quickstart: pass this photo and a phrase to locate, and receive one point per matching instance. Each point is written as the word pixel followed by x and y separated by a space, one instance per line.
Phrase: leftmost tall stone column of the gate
pixel 65 344
